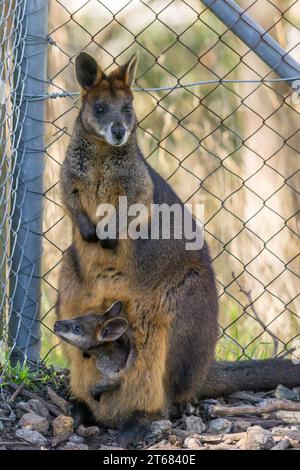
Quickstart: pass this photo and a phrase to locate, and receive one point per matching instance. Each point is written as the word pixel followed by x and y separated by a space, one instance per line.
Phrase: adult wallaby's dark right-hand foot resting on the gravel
pixel 134 429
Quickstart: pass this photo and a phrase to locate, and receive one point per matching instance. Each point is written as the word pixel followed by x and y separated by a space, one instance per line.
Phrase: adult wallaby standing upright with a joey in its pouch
pixel 169 292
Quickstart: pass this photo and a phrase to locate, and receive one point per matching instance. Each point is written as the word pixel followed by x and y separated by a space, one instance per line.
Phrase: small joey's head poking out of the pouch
pixel 91 330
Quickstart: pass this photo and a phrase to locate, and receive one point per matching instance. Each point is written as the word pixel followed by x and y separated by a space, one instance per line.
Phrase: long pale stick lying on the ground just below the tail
pixel 278 405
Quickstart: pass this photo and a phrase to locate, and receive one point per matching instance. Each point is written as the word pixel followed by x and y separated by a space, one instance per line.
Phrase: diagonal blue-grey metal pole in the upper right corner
pixel 255 37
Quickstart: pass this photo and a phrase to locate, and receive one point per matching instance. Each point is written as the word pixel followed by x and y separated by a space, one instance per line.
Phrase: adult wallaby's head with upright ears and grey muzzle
pixel 107 101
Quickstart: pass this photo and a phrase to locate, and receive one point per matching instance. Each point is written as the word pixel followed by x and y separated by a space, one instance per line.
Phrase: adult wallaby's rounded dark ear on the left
pixel 88 73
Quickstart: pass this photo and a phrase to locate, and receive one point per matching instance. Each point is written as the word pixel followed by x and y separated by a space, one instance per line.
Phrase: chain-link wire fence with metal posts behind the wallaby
pixel 214 120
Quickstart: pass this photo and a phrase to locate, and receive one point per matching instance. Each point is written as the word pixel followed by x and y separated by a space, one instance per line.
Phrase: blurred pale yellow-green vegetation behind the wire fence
pixel 233 147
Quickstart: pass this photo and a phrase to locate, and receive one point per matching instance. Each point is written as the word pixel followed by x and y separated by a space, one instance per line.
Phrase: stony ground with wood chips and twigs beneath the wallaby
pixel 34 414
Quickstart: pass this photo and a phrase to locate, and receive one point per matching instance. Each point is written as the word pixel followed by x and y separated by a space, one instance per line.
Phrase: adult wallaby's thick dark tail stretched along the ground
pixel 225 378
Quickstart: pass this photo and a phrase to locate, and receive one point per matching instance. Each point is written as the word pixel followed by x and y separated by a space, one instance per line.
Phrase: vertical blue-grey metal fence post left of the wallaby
pixel 27 200
